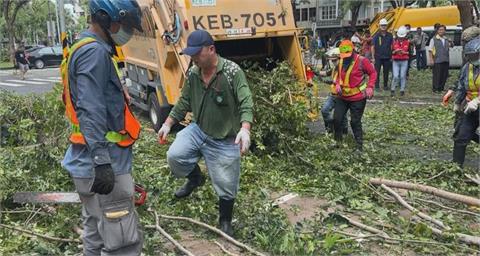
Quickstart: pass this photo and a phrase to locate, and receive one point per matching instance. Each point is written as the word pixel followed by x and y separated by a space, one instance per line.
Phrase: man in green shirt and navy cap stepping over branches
pixel 217 93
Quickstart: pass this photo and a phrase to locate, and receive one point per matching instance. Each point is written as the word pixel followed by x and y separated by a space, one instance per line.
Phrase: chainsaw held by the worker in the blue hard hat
pixel 67 197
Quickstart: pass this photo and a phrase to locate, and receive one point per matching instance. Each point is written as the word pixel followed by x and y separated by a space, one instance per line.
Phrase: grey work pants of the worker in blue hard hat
pixel 110 222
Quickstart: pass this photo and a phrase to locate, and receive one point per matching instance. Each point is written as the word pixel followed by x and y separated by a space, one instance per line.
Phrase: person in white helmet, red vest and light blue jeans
pixel 400 56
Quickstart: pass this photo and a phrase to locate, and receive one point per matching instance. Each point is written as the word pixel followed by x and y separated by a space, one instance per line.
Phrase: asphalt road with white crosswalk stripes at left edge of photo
pixel 37 81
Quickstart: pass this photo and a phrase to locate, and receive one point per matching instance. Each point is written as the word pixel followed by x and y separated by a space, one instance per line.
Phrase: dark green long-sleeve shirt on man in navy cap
pixel 219 108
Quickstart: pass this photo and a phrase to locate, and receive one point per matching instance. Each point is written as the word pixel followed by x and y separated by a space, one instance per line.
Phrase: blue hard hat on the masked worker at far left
pixel 126 12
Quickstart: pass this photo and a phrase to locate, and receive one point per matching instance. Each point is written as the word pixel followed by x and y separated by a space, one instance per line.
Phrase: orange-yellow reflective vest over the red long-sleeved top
pixel 347 91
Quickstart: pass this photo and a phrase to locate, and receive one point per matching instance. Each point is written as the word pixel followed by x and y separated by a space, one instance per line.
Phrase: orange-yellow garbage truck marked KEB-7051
pixel 254 30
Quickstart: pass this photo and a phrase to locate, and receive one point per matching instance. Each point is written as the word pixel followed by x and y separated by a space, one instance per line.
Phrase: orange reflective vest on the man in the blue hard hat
pixel 124 137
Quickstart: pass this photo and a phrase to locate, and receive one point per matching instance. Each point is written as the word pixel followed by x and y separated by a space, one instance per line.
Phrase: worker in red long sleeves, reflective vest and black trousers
pixel 352 91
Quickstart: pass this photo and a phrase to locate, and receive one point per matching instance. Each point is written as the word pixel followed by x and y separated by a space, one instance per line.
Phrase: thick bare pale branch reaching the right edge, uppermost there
pixel 427 189
